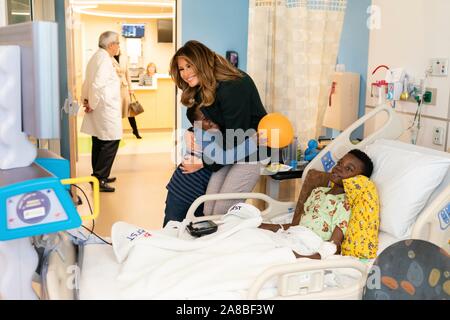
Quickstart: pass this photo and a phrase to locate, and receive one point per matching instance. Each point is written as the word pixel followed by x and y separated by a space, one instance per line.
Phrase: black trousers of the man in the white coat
pixel 103 155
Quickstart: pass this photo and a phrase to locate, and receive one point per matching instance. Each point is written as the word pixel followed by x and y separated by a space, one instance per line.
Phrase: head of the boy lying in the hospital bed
pixel 352 164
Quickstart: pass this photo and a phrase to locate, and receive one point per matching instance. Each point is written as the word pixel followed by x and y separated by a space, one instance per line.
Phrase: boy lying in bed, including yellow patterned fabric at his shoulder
pixel 327 211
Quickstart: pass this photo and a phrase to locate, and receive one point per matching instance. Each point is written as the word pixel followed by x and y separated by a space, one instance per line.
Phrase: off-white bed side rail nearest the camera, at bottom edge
pixel 295 273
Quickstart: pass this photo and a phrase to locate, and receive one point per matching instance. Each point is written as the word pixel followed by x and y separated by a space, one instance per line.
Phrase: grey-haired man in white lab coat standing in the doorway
pixel 102 103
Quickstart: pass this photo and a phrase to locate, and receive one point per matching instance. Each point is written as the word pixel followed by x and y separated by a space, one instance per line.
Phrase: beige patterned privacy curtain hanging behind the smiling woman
pixel 292 51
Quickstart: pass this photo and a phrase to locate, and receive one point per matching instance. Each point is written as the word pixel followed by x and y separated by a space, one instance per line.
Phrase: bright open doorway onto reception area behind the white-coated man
pixel 143 167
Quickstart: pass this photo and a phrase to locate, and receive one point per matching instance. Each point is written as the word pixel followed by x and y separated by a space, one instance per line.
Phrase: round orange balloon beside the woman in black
pixel 277 129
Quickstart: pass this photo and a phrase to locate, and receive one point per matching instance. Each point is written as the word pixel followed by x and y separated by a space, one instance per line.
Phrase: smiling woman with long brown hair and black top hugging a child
pixel 228 97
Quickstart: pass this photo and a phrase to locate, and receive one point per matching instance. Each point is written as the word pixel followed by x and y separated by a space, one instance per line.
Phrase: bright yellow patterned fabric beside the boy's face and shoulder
pixel 361 239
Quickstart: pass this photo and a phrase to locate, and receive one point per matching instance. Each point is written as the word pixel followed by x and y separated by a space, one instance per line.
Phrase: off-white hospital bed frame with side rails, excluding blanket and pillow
pixel 68 271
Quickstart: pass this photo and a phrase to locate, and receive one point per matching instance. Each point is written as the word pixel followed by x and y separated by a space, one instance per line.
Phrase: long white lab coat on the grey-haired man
pixel 101 88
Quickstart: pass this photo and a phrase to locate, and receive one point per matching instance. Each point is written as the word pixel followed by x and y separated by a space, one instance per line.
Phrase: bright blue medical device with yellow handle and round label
pixel 35 200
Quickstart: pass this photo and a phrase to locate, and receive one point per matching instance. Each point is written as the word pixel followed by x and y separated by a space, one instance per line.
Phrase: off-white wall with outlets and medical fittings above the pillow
pixel 411 33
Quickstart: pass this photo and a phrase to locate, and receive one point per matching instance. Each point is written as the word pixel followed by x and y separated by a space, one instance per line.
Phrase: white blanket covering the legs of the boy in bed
pixel 170 264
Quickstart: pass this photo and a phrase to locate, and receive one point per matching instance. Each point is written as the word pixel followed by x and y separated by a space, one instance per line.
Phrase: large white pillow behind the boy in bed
pixel 405 176
